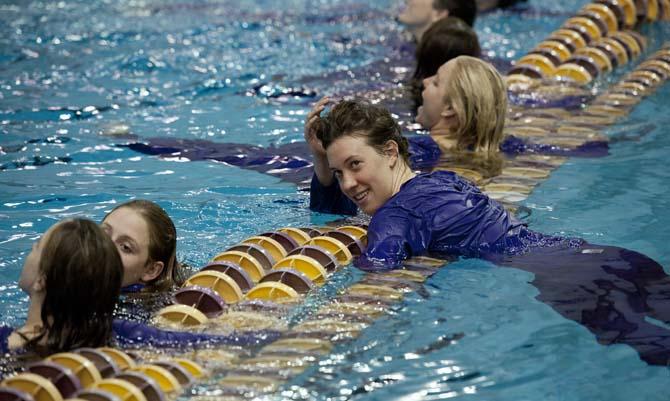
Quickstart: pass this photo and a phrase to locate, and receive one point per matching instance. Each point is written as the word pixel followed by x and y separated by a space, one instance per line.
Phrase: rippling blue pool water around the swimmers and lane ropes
pixel 72 73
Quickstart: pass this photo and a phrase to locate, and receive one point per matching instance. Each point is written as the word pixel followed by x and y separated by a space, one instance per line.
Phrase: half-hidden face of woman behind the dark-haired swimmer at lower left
pixel 130 233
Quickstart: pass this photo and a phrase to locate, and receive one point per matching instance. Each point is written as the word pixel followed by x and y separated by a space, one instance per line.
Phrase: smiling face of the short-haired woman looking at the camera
pixel 365 176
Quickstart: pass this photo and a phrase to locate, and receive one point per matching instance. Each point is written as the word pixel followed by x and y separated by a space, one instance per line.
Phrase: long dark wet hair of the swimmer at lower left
pixel 82 273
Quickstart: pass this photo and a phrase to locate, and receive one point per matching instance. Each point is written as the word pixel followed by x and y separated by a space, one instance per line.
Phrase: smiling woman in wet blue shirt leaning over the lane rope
pixel 361 162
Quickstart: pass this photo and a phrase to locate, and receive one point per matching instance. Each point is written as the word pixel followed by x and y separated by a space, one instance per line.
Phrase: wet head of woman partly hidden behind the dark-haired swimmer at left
pixel 147 242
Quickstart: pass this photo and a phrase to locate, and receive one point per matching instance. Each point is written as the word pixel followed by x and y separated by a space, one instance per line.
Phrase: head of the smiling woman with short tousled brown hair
pixel 366 151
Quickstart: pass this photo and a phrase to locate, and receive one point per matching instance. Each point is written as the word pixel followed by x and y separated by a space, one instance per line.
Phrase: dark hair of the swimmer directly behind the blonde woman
pixel 446 39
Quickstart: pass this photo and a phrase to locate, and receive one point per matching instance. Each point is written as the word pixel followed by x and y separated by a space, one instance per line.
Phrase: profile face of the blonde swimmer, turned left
pixel 435 110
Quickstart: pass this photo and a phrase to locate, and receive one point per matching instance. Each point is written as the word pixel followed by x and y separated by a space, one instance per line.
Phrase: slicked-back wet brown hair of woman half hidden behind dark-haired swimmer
pixel 162 244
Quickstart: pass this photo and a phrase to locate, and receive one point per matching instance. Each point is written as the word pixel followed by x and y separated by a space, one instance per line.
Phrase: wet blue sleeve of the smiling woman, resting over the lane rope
pixel 394 234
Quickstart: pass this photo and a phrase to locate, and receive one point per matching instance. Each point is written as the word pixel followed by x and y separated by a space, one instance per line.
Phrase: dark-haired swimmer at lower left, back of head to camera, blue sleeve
pixel 73 277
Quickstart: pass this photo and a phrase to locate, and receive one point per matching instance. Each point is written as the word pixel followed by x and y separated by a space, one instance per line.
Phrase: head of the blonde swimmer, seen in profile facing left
pixel 467 98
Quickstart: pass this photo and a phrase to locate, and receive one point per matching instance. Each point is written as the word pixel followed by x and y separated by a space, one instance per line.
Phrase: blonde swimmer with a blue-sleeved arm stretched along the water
pixel 464 108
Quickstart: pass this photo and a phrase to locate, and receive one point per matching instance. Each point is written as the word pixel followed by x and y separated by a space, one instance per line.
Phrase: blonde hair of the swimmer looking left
pixel 477 93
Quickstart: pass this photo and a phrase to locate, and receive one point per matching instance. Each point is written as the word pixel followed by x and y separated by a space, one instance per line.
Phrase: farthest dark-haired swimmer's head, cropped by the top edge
pixel 419 15
